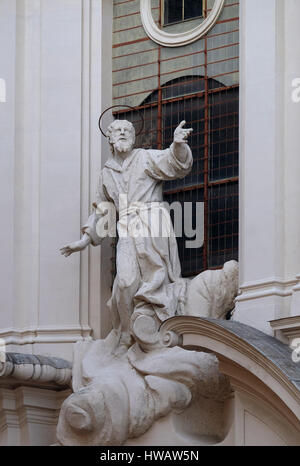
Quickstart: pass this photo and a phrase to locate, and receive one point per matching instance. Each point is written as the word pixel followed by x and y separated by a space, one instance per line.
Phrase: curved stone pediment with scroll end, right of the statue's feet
pixel 254 361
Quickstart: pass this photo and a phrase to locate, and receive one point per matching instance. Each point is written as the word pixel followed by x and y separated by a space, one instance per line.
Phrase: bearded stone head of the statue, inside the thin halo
pixel 121 135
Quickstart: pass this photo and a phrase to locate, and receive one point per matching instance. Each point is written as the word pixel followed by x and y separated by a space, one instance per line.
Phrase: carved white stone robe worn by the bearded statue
pixel 148 279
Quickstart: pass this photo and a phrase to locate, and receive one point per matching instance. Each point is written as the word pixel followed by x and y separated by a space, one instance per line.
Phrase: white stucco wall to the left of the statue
pixel 51 59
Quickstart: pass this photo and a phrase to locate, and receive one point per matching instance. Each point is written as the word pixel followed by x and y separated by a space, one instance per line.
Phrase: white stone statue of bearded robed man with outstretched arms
pixel 148 288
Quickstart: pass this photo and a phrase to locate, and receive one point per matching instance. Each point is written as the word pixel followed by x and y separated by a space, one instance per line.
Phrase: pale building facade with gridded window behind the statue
pixel 231 70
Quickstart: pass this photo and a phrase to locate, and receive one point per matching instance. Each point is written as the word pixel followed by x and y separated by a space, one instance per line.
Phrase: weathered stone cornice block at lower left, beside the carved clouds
pixel 32 389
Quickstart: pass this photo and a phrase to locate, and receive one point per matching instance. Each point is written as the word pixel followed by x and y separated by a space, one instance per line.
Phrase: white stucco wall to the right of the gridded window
pixel 269 161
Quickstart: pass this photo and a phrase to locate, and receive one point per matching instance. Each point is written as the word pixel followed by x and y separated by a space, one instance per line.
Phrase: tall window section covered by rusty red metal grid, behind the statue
pixel 197 83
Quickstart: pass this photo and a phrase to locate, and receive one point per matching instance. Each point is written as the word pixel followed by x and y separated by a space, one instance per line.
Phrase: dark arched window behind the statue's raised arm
pixel 212 110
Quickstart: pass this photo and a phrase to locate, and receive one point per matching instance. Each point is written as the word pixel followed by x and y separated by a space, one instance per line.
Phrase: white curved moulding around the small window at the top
pixel 167 39
